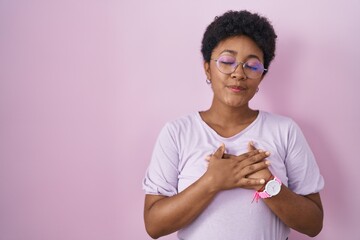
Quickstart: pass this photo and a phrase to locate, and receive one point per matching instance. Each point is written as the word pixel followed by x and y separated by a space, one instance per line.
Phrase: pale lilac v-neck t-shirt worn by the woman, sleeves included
pixel 178 161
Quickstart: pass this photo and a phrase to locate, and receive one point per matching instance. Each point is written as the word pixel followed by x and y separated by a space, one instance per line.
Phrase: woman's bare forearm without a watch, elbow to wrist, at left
pixel 170 214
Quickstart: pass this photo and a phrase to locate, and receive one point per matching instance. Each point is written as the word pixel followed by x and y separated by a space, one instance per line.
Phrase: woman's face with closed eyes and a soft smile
pixel 235 89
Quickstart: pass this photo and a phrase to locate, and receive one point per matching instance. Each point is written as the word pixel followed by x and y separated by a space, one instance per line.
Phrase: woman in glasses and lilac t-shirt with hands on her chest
pixel 232 172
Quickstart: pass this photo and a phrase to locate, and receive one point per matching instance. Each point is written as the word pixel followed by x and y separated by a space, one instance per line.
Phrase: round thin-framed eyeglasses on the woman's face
pixel 252 68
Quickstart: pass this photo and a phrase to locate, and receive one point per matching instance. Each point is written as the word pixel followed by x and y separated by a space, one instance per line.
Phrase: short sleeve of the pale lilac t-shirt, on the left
pixel 161 177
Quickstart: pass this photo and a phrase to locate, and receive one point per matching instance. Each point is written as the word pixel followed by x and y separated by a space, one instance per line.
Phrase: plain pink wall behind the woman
pixel 85 87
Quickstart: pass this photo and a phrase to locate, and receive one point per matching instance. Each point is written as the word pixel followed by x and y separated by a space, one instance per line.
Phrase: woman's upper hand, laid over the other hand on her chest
pixel 227 171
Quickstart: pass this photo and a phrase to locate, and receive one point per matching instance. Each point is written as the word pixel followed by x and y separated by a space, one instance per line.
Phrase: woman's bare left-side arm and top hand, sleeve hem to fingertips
pixel 164 215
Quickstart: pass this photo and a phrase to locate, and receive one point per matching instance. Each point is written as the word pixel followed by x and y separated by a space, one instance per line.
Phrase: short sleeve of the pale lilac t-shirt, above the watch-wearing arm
pixel 303 172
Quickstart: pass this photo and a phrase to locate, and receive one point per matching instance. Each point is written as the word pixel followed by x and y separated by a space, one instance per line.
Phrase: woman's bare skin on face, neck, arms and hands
pixel 228 115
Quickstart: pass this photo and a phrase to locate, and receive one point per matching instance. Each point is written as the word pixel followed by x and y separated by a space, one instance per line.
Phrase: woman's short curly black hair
pixel 237 23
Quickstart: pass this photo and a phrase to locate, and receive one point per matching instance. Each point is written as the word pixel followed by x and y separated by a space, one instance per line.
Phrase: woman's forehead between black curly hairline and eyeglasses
pixel 239 46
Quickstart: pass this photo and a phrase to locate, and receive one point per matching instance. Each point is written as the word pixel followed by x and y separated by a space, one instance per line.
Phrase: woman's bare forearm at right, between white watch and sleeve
pixel 302 213
